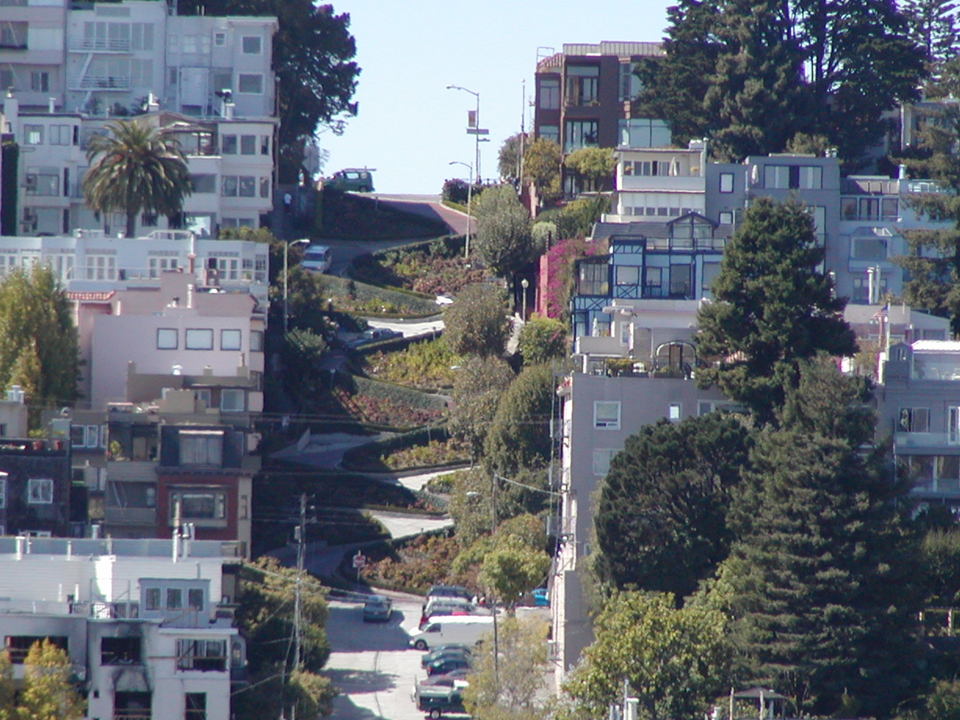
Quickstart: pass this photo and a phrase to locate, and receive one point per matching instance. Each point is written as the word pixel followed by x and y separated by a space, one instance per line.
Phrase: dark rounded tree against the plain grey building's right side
pixel 661 519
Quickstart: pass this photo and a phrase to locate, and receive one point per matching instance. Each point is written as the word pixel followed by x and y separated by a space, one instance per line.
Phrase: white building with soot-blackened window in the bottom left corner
pixel 143 621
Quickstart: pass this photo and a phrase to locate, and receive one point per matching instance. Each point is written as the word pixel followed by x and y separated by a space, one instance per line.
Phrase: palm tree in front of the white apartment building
pixel 138 169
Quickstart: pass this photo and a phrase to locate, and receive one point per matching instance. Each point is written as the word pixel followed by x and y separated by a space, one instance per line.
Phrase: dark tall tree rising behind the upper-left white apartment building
pixel 313 56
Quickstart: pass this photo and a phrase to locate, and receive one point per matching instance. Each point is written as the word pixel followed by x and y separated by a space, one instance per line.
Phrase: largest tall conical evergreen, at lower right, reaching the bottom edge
pixel 820 582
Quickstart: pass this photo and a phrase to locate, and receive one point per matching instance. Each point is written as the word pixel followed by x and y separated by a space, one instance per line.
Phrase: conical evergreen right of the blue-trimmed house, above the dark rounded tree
pixel 773 308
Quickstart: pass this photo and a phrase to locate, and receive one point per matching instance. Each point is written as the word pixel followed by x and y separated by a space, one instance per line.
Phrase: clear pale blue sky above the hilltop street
pixel 409 126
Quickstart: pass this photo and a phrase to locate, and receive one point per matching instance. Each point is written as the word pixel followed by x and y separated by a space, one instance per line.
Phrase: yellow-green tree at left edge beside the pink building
pixel 38 340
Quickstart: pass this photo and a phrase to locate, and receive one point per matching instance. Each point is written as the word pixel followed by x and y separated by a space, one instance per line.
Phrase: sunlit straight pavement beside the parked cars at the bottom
pixel 371 664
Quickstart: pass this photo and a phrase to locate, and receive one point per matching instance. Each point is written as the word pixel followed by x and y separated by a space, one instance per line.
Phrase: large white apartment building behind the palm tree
pixel 209 79
